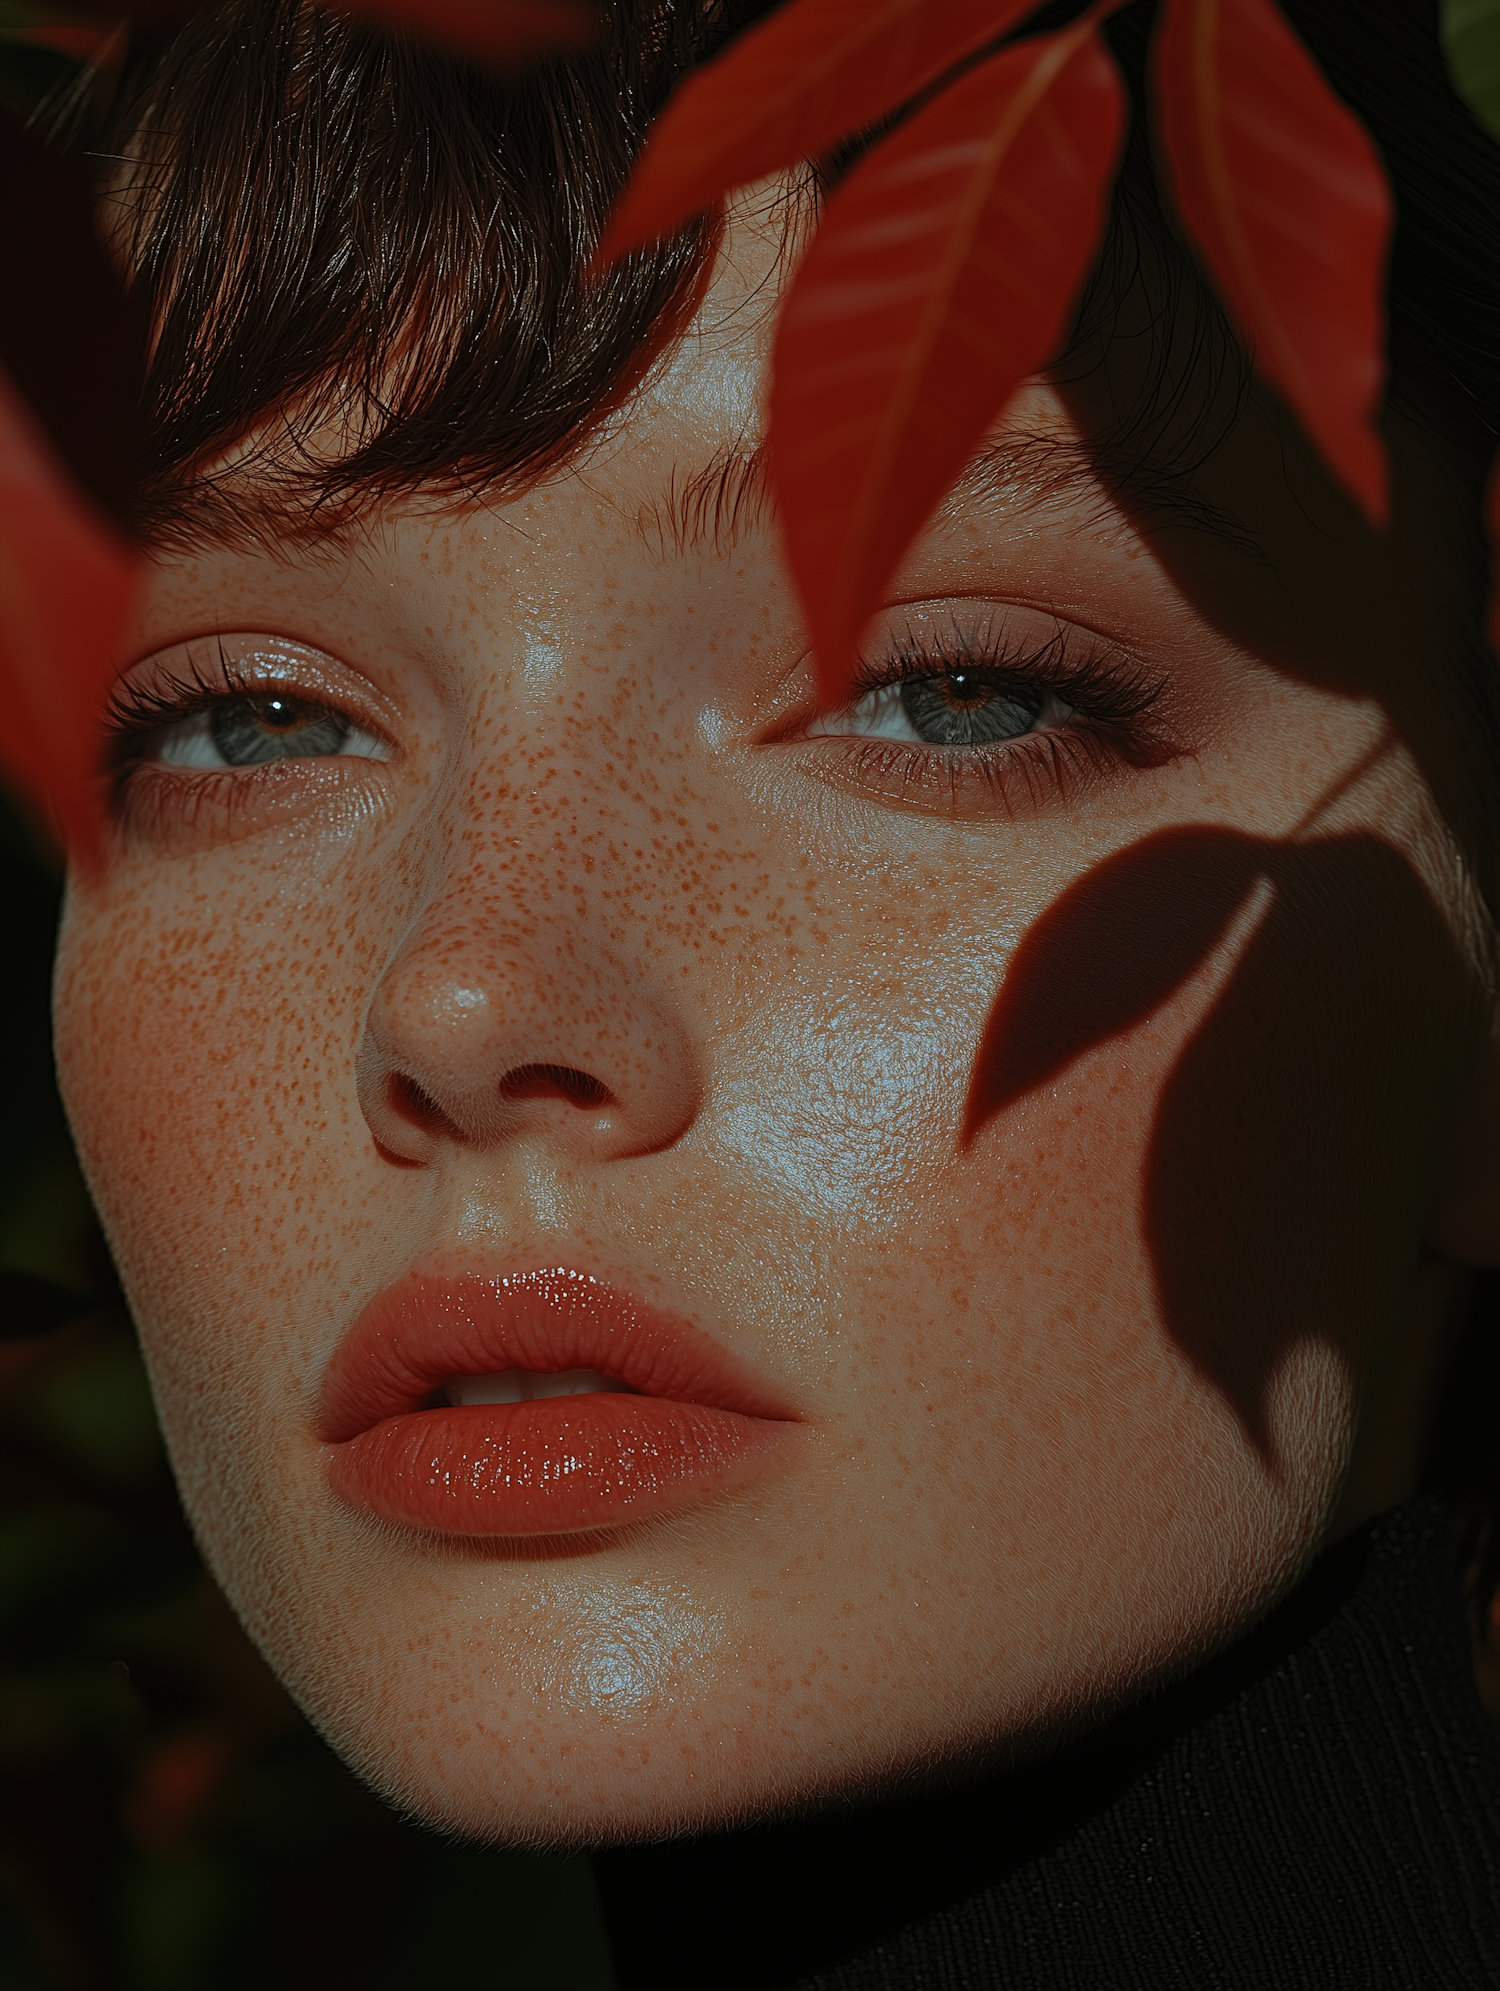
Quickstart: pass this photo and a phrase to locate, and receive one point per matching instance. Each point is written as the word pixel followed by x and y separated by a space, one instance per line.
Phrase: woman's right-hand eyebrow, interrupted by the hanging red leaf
pixel 708 511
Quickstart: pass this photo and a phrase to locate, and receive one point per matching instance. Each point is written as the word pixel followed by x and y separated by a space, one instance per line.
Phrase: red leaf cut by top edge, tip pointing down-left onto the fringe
pixel 788 91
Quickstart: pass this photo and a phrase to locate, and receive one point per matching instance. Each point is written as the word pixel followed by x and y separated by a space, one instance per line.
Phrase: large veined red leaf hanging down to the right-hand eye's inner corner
pixel 943 276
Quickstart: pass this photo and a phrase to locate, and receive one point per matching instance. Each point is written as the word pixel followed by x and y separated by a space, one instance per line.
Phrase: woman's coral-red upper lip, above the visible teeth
pixel 431 1327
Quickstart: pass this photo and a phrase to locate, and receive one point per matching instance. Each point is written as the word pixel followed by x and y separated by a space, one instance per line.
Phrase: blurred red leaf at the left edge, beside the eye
pixel 67 588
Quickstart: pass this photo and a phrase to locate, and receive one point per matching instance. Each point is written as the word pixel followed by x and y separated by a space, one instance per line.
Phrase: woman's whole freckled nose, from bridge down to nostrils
pixel 517 1002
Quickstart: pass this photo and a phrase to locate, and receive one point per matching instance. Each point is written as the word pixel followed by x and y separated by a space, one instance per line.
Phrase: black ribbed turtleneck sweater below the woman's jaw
pixel 1318 1807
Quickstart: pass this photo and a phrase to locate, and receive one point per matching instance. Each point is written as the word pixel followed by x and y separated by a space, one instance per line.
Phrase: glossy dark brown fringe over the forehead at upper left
pixel 346 230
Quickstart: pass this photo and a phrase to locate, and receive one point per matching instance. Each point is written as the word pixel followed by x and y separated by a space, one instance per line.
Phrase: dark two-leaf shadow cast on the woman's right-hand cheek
pixel 1296 1138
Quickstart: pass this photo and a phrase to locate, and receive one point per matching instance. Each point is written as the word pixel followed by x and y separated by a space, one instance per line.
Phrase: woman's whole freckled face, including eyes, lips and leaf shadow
pixel 1001 1120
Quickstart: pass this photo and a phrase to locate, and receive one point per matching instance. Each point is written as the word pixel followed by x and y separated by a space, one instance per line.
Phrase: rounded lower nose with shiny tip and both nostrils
pixel 485 1032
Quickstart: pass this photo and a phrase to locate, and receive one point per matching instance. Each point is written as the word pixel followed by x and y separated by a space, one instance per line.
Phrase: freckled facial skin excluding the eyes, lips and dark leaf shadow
pixel 601 843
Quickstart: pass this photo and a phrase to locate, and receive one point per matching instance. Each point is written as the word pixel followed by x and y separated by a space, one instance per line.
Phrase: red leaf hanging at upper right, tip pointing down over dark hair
pixel 1286 196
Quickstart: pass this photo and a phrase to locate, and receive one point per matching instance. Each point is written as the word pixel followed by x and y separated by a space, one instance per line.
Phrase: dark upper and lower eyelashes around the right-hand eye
pixel 1111 696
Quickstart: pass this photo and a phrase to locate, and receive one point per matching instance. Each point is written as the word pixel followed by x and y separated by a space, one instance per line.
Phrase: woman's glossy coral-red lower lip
pixel 549 1468
